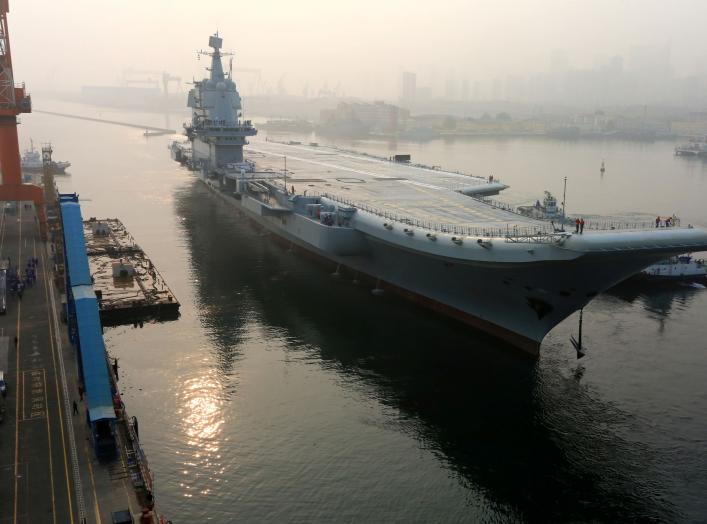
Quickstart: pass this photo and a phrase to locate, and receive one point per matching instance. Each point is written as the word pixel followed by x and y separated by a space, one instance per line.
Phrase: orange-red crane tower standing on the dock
pixel 14 100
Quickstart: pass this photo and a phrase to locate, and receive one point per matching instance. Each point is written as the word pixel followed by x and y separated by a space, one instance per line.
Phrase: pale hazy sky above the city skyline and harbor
pixel 363 44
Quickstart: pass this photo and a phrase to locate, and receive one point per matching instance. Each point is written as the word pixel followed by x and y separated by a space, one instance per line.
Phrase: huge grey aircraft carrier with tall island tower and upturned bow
pixel 429 234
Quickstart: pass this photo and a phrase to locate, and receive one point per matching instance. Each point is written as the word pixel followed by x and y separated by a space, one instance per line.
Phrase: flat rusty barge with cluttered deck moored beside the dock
pixel 128 286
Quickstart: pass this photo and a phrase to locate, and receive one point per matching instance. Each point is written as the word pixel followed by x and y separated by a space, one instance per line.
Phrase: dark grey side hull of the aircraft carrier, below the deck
pixel 511 302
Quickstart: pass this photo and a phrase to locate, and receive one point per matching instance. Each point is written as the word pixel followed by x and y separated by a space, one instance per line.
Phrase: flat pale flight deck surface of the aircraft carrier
pixel 416 192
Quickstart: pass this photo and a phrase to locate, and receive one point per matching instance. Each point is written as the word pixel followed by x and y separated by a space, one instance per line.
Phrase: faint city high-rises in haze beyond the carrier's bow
pixel 644 76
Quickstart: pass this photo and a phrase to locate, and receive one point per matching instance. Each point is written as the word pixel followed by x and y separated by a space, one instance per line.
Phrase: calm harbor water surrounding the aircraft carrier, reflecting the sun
pixel 286 394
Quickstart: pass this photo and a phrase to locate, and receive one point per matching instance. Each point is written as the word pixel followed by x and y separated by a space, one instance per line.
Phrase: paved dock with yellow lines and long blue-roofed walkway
pixel 70 452
